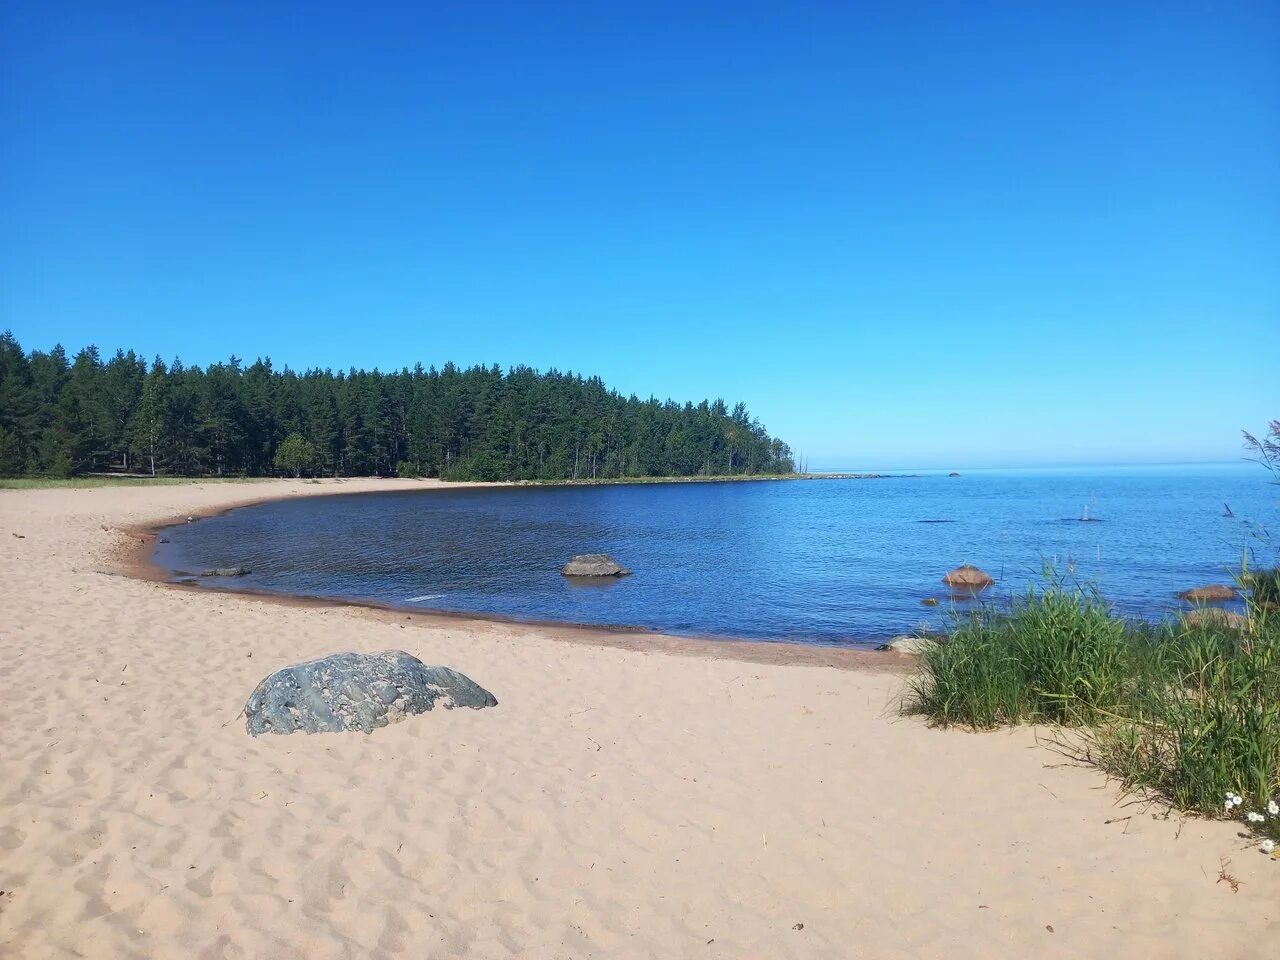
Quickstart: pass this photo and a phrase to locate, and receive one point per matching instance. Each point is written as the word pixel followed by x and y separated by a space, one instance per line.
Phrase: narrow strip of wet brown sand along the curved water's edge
pixel 138 561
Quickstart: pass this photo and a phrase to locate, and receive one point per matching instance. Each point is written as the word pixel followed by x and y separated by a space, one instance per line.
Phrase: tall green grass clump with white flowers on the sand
pixel 1187 712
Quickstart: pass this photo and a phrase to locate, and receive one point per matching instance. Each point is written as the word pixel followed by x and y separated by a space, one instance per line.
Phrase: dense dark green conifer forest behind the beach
pixel 62 415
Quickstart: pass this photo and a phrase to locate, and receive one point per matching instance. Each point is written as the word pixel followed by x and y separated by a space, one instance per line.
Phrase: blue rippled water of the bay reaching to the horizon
pixel 830 561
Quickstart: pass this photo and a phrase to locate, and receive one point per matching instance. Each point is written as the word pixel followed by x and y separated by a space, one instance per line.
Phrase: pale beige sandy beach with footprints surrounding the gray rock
pixel 619 803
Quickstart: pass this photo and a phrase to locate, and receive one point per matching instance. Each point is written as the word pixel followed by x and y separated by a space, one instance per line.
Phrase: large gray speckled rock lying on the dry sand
pixel 356 692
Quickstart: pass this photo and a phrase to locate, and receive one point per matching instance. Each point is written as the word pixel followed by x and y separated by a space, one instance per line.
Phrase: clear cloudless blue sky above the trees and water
pixel 908 235
